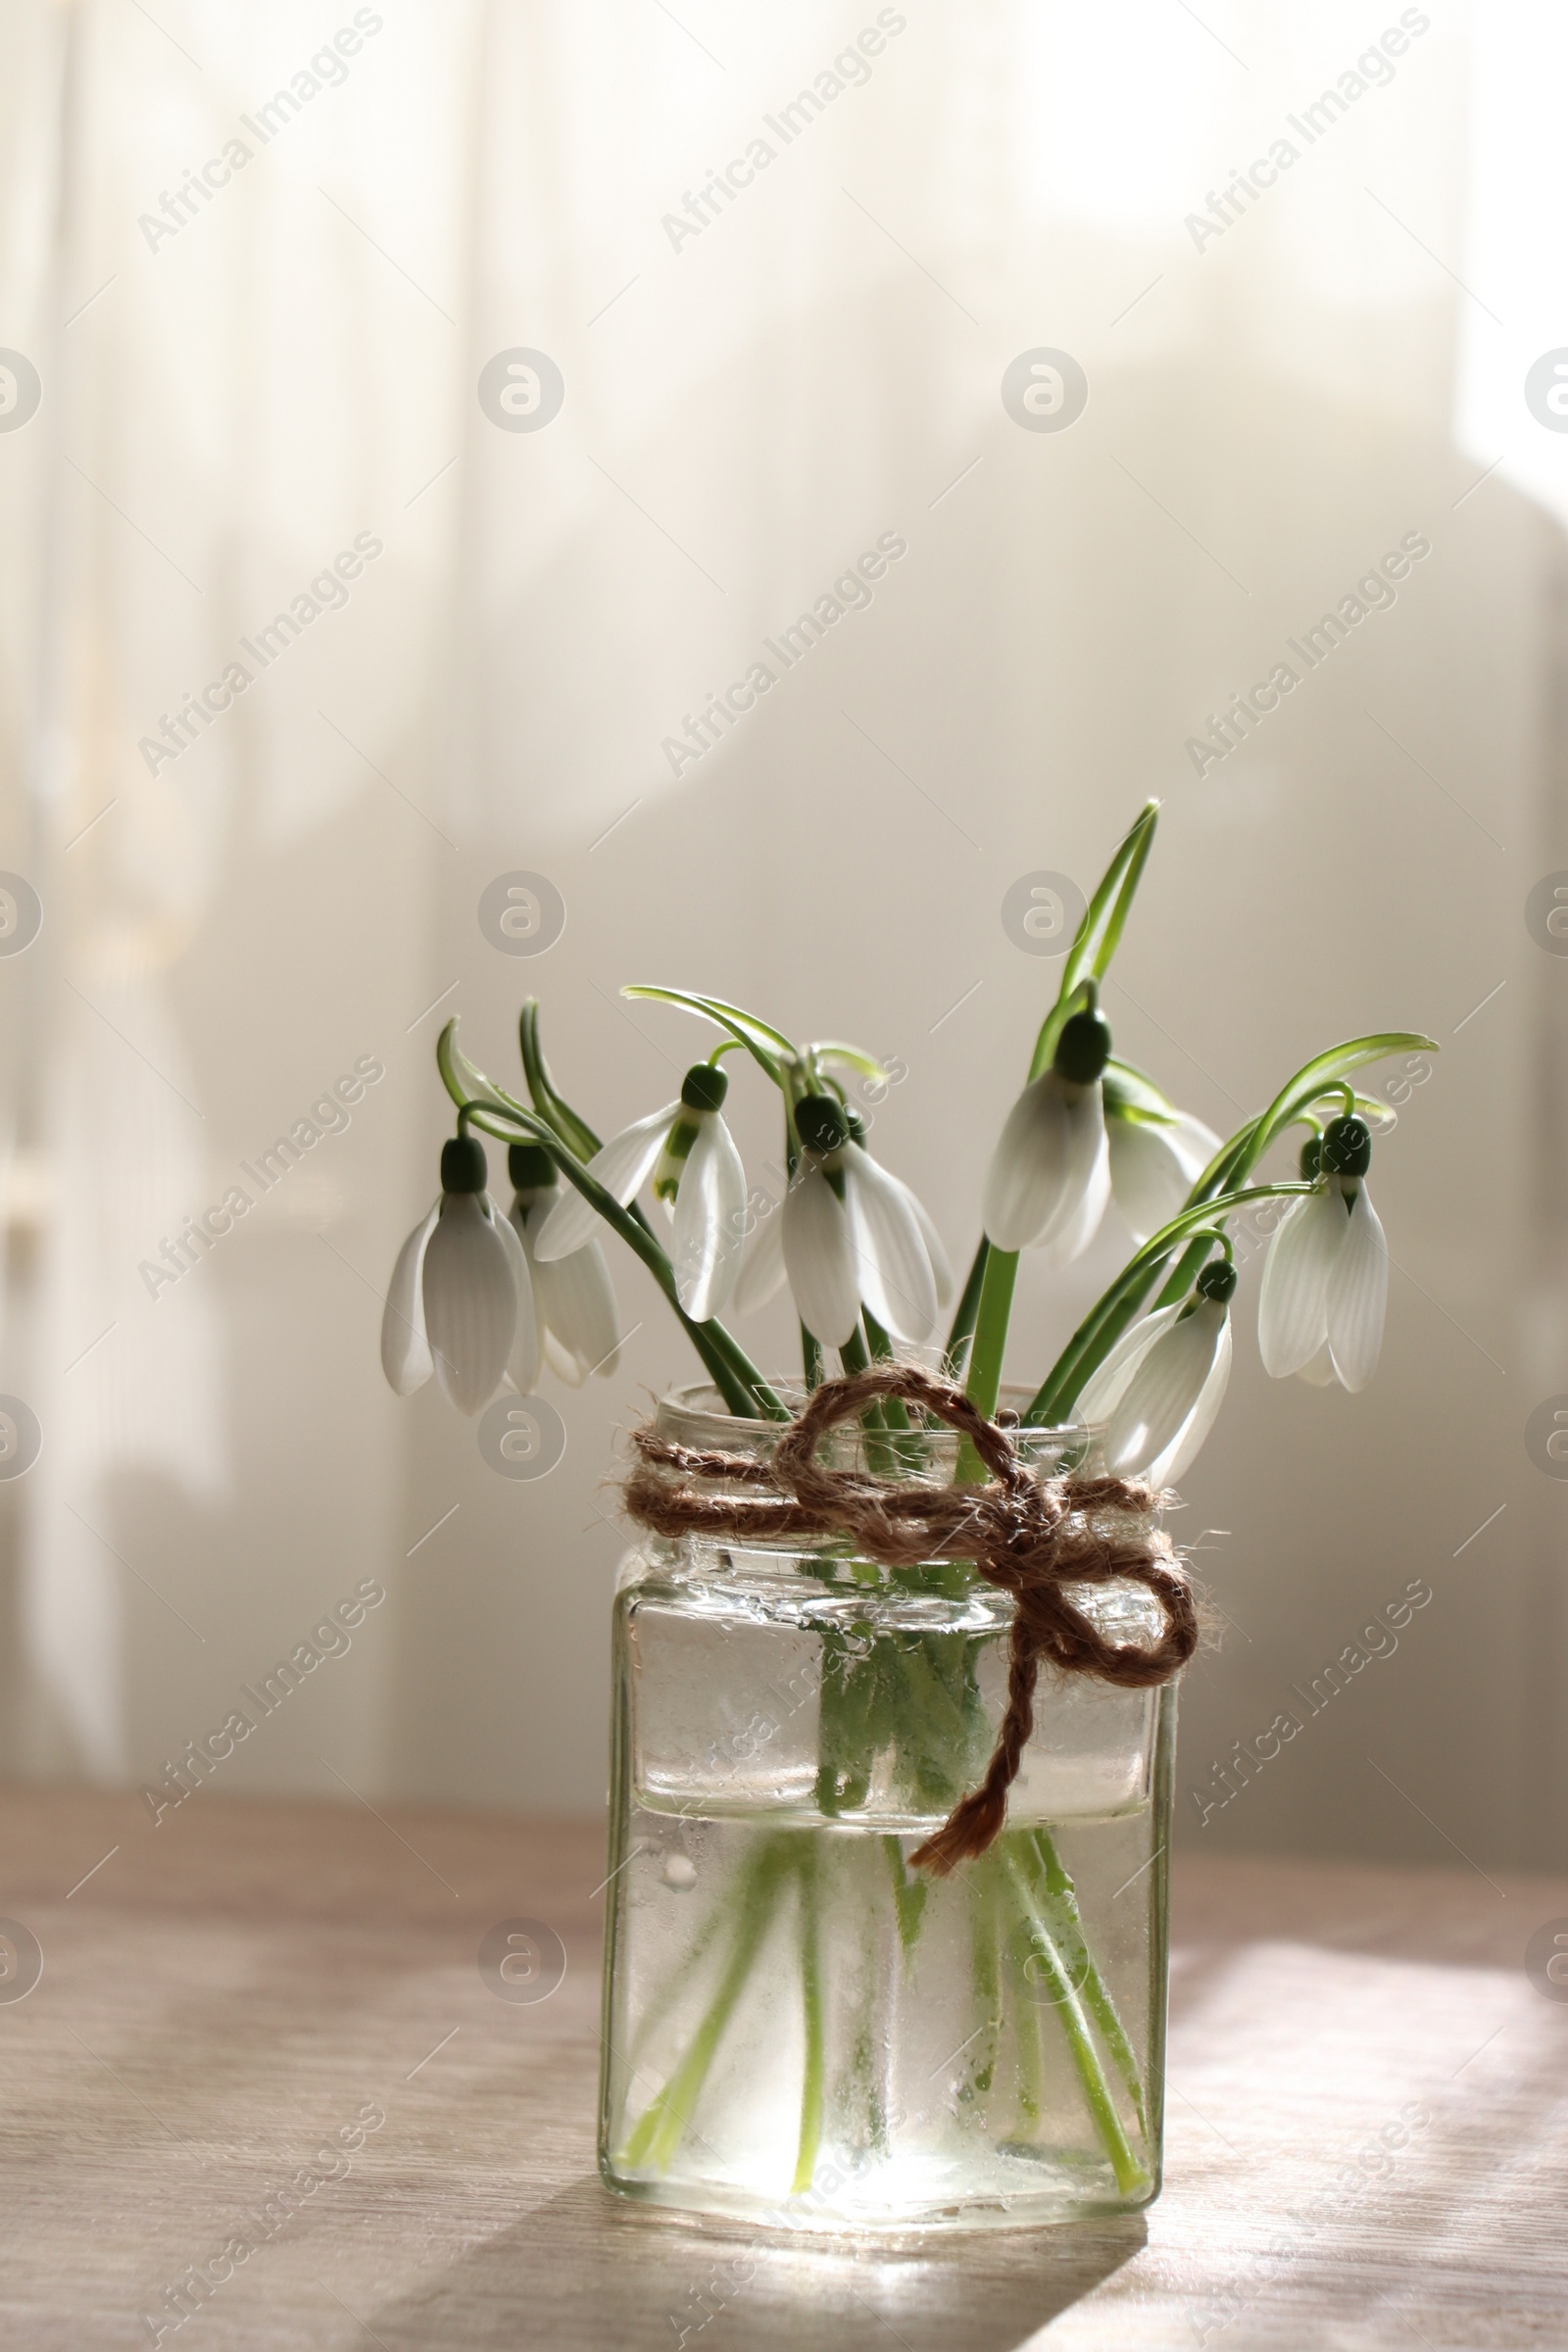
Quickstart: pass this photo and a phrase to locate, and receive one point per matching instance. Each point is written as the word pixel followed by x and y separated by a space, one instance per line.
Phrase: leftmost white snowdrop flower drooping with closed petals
pixel 457 1288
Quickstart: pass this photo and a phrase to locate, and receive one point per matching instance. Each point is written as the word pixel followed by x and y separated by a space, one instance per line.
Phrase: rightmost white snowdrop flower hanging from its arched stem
pixel 1327 1274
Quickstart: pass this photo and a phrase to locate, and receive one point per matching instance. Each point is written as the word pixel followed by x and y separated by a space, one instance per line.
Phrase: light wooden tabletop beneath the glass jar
pixel 243 1982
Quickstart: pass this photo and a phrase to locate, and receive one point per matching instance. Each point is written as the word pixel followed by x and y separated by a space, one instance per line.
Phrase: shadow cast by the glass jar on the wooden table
pixel 587 2271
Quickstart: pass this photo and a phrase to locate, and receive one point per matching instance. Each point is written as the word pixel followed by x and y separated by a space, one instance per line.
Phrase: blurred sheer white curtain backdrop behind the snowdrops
pixel 293 370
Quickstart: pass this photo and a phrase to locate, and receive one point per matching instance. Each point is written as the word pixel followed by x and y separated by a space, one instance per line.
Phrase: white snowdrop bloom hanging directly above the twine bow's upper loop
pixel 852 1234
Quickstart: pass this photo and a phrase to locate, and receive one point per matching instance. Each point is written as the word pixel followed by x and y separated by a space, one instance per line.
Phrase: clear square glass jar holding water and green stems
pixel 800 2029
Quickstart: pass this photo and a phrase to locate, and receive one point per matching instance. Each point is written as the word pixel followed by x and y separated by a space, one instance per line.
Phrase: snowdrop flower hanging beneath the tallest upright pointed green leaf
pixel 1050 1175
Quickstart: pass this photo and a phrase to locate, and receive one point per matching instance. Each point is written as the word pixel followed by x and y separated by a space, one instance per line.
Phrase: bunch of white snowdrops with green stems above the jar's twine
pixel 485 1297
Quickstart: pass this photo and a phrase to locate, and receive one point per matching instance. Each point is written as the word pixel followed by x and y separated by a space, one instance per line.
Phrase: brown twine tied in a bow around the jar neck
pixel 1026 1535
